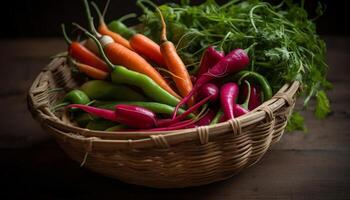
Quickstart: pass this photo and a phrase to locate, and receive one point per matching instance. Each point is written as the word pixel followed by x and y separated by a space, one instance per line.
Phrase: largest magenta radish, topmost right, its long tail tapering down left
pixel 235 61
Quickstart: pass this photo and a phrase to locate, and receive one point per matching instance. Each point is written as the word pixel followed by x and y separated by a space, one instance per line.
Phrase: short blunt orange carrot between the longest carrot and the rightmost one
pixel 145 46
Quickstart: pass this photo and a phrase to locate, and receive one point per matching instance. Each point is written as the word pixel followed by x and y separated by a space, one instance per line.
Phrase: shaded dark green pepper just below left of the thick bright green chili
pixel 102 90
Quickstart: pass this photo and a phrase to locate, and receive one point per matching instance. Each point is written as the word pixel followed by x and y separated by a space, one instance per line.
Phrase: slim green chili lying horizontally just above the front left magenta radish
pixel 158 108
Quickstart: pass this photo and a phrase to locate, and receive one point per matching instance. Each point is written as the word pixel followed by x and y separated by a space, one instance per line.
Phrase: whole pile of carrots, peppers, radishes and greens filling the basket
pixel 192 65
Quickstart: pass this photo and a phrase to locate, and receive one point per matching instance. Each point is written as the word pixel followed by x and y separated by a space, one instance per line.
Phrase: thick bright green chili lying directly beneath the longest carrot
pixel 150 88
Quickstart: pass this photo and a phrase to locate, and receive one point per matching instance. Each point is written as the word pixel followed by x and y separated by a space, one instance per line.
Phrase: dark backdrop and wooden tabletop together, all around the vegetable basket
pixel 315 165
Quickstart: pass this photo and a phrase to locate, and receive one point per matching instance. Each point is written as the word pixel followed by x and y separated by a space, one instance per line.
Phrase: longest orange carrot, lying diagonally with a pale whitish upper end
pixel 121 55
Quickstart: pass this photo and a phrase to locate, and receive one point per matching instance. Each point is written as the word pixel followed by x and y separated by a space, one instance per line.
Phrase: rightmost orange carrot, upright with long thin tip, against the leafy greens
pixel 174 63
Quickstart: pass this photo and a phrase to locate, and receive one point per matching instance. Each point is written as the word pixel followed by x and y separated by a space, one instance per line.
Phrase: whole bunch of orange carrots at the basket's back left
pixel 133 54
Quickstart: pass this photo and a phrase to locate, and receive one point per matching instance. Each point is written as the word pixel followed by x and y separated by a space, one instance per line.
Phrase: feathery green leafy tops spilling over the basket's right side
pixel 282 41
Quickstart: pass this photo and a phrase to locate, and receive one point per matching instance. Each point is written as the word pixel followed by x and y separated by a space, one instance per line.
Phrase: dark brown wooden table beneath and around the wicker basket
pixel 315 165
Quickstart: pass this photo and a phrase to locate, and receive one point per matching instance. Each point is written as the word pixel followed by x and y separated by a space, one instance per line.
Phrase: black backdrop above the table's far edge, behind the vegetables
pixel 39 18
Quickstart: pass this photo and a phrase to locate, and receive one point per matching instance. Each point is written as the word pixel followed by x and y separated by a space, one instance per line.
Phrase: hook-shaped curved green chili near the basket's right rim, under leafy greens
pixel 257 79
